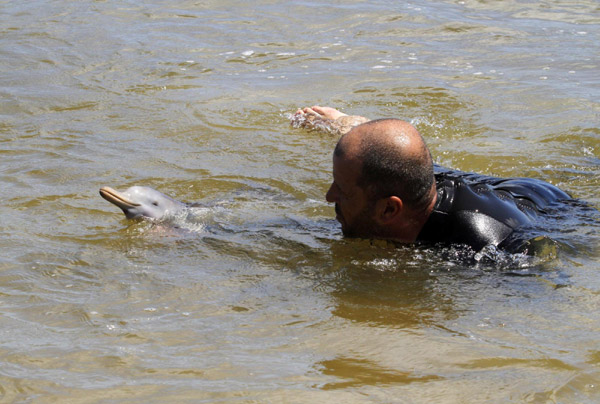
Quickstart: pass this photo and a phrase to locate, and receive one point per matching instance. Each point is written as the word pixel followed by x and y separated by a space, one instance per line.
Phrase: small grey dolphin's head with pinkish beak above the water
pixel 139 202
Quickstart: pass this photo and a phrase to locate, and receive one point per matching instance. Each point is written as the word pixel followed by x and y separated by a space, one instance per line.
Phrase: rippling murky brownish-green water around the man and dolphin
pixel 268 303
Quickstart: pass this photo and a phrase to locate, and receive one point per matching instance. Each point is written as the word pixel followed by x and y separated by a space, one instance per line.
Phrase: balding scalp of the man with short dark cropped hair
pixel 394 159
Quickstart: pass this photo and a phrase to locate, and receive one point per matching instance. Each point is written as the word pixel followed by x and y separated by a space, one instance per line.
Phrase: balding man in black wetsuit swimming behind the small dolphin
pixel 385 186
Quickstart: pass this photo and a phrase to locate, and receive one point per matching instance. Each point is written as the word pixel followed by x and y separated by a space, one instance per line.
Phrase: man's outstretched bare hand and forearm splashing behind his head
pixel 326 119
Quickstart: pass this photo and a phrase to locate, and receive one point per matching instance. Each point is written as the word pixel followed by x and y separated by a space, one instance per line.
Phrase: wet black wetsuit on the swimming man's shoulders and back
pixel 478 210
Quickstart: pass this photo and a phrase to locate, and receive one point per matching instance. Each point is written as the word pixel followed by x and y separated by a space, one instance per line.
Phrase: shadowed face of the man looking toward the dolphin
pixel 352 206
